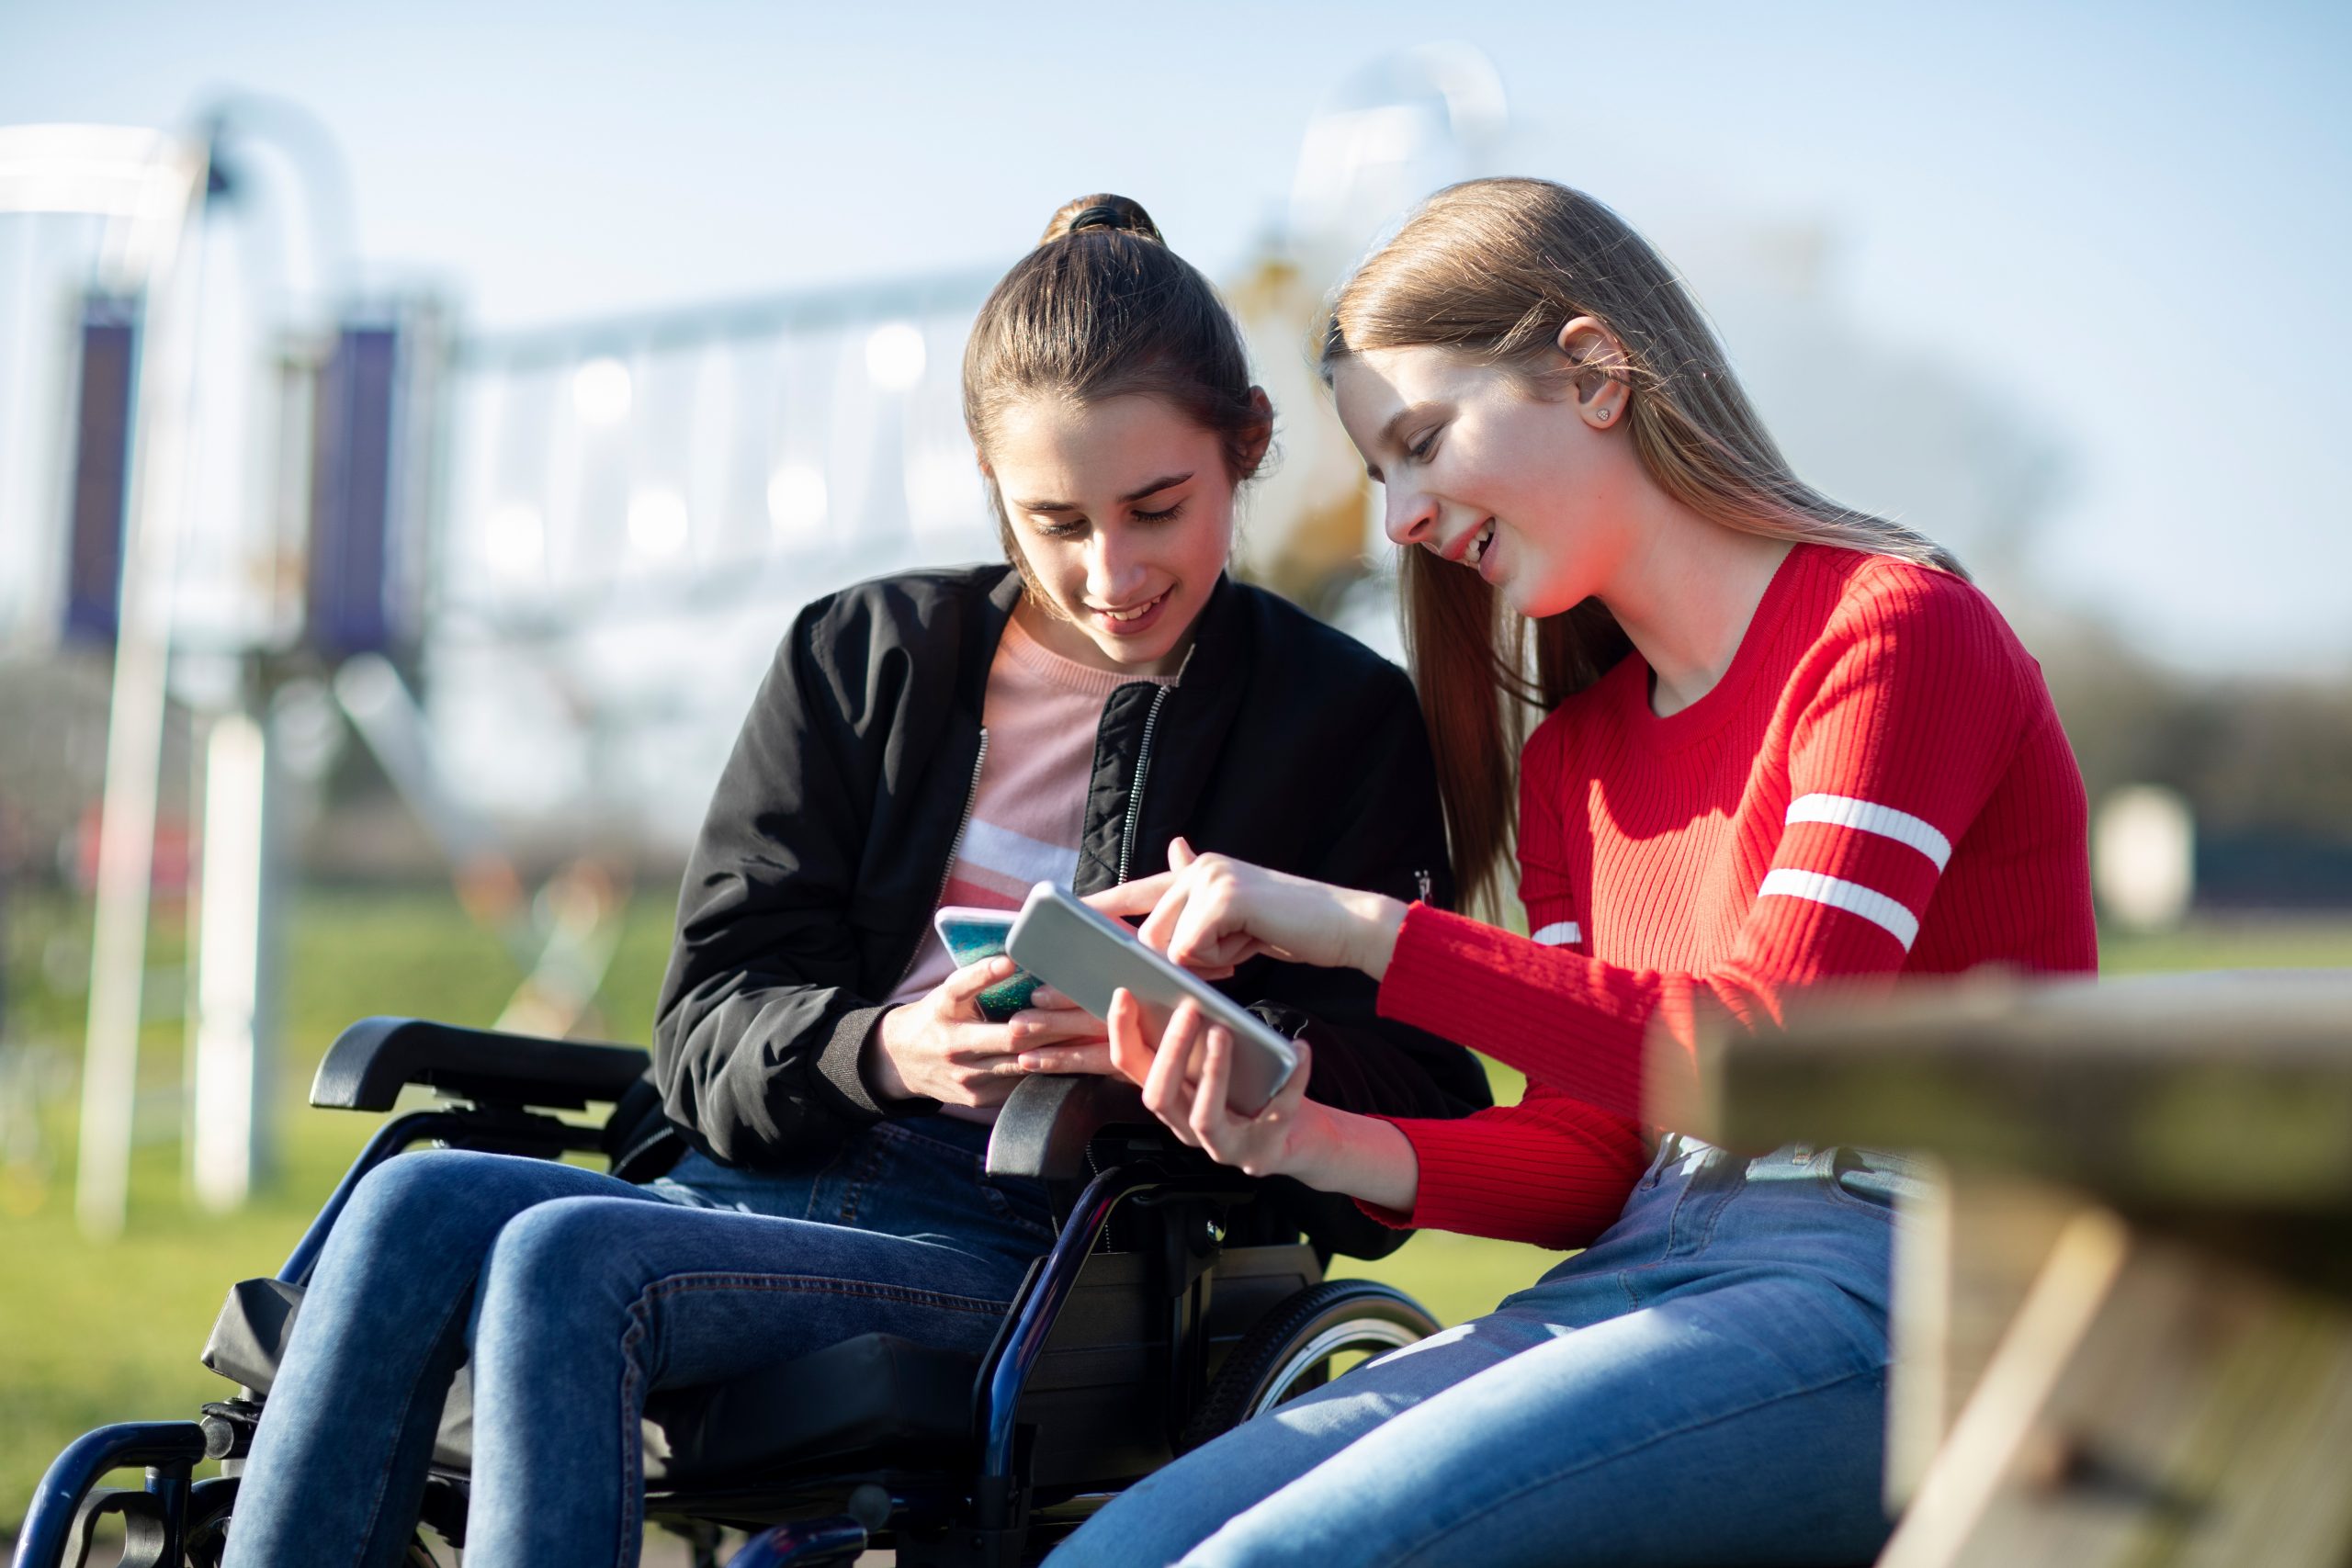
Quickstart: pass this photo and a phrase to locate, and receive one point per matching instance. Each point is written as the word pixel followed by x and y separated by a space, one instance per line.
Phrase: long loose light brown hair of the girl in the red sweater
pixel 1495 269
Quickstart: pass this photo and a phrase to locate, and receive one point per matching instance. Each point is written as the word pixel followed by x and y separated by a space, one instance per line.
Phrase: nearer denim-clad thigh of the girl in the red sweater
pixel 1732 1426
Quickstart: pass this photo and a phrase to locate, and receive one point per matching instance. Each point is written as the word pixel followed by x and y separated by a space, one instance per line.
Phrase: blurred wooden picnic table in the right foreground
pixel 2125 1315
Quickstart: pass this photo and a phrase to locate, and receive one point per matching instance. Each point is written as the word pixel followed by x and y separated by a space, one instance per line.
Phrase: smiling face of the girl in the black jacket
pixel 1123 514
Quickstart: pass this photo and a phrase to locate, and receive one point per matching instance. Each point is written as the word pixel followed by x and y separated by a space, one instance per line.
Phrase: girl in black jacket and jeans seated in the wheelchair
pixel 926 739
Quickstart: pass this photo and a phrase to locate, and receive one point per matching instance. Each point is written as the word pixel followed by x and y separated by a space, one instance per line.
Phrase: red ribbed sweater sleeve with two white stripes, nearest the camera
pixel 1906 716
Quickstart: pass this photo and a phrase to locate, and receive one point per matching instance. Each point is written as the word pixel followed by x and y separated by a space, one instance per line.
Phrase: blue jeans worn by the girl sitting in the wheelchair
pixel 575 1294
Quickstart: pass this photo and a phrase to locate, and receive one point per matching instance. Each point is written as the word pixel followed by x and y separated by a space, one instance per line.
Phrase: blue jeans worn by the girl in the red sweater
pixel 1704 1386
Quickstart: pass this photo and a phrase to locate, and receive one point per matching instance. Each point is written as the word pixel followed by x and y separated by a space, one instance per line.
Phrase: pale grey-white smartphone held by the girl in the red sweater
pixel 1088 956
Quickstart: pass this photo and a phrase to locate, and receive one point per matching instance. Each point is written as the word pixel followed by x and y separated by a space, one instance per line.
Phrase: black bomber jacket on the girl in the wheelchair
pixel 836 819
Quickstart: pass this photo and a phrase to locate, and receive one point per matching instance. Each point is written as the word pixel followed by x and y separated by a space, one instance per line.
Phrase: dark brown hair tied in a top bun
pixel 1104 309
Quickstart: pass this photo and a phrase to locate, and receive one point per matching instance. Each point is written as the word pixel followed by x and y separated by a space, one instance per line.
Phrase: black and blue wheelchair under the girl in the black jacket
pixel 1170 1308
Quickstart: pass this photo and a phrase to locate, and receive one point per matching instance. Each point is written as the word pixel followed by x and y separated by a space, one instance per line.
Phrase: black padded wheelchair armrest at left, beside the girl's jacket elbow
pixel 373 1059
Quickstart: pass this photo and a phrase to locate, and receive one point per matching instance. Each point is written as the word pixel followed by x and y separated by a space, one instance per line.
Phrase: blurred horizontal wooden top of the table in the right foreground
pixel 2167 1092
